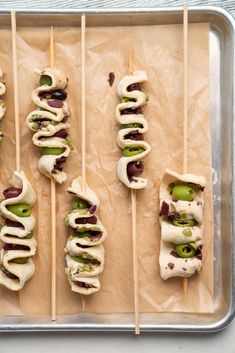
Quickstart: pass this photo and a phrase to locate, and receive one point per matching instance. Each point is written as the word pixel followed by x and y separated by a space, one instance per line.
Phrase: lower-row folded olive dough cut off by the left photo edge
pixel 16 266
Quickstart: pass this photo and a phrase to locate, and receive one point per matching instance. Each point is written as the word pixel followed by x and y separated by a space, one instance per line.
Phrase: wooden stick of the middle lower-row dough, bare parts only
pixel 83 84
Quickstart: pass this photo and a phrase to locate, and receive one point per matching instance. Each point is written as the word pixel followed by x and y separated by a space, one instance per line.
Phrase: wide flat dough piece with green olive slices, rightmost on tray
pixel 181 220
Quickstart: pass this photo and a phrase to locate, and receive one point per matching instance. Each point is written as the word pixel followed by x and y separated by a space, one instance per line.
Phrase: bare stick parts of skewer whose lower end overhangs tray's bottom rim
pixel 134 232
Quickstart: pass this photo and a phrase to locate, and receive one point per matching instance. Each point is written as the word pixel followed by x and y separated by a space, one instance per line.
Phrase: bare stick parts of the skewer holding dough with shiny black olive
pixel 53 214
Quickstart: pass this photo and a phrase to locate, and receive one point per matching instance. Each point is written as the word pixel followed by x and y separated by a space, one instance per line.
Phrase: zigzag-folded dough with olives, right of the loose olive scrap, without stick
pixel 129 115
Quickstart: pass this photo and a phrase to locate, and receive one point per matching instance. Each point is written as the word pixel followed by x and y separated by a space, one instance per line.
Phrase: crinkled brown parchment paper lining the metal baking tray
pixel 158 50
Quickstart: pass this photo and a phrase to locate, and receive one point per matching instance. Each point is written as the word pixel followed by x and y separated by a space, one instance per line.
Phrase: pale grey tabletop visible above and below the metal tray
pixel 107 342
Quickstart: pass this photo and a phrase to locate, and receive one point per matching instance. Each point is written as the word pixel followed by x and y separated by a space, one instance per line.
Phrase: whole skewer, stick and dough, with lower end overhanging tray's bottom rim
pixel 133 125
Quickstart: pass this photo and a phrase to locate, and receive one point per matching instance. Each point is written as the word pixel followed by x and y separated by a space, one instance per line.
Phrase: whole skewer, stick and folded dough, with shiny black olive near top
pixel 50 127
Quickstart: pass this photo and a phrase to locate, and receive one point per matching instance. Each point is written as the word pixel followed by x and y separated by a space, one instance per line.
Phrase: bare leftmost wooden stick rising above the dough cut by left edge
pixel 15 85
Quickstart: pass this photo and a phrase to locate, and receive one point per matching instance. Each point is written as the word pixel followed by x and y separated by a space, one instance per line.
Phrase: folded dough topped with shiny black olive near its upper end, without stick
pixel 49 123
